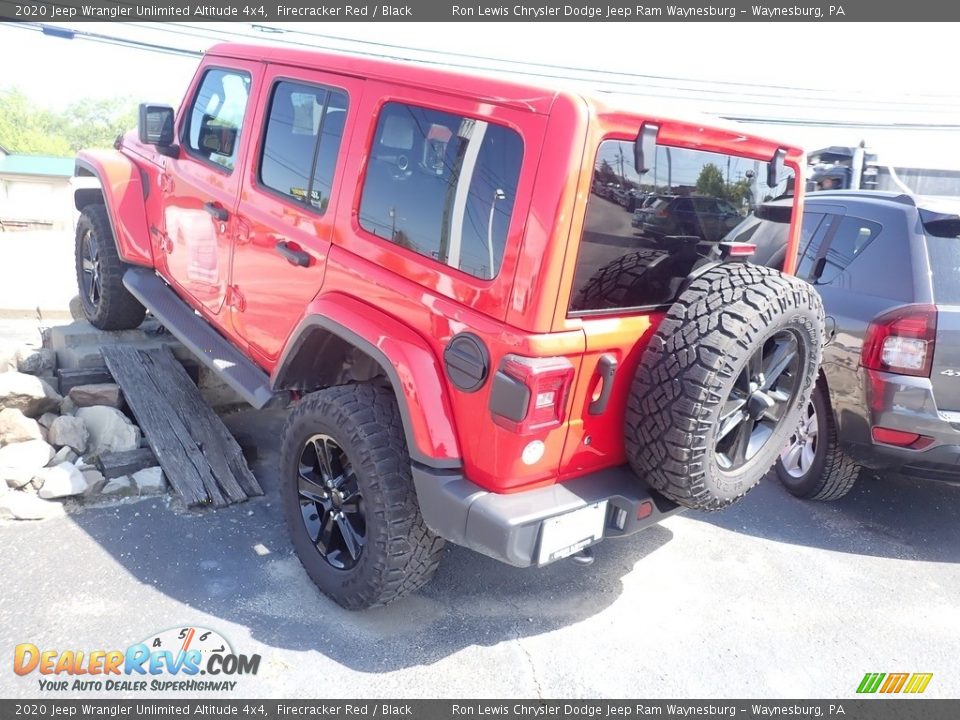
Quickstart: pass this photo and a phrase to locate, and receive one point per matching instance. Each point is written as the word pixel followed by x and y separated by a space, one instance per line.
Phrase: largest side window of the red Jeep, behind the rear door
pixel 442 185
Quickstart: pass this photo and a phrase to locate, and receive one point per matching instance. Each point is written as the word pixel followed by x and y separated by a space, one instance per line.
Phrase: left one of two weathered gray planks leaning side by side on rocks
pixel 179 456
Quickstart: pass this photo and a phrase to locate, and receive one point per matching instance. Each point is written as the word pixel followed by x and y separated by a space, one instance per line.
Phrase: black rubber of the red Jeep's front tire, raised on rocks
pixel 115 308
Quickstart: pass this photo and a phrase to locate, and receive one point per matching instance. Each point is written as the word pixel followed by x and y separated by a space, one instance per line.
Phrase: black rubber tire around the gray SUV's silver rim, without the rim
pixel 833 473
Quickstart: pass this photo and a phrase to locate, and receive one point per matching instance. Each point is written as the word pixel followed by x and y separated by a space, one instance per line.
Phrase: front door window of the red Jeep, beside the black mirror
pixel 216 116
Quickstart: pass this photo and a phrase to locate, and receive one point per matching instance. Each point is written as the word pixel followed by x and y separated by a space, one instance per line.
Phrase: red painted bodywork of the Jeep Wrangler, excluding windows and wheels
pixel 408 305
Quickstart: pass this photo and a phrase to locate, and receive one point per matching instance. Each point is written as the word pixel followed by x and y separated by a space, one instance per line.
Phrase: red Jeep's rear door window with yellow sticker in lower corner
pixel 302 141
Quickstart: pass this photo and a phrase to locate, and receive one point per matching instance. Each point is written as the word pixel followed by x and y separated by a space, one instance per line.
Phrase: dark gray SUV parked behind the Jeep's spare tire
pixel 887 267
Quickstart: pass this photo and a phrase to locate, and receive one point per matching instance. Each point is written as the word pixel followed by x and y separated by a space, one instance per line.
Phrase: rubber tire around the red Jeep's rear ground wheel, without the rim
pixel 400 554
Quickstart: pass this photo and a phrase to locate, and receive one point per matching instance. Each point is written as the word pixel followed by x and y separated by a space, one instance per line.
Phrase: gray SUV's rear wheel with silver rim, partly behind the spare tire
pixel 812 466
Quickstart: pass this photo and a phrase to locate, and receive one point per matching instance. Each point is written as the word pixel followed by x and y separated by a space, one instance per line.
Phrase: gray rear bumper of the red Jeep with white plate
pixel 510 528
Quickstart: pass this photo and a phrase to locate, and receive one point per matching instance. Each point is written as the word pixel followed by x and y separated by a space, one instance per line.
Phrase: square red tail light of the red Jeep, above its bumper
pixel 529 394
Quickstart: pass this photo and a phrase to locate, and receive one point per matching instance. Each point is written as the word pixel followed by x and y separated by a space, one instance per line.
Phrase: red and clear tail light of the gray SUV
pixel 901 341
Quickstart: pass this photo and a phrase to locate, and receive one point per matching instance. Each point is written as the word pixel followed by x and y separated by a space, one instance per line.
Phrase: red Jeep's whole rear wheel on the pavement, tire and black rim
pixel 349 499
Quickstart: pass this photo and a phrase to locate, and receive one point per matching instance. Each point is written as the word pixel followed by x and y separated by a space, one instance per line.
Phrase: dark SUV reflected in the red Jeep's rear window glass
pixel 706 217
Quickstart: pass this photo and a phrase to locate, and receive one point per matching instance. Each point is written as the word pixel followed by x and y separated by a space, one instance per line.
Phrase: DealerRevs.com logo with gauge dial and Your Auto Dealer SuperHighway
pixel 188 659
